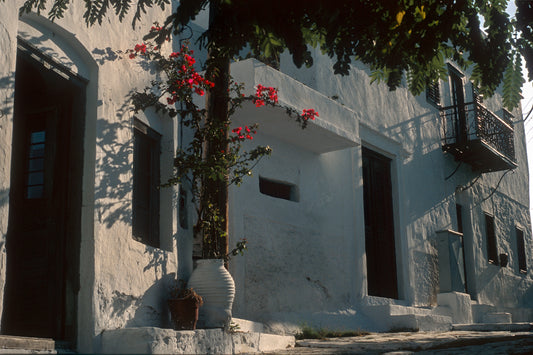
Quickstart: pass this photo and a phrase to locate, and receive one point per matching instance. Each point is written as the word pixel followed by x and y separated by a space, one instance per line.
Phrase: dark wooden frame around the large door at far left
pixel 70 278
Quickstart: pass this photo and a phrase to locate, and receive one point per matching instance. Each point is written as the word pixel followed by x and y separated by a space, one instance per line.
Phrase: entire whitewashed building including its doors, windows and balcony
pixel 388 211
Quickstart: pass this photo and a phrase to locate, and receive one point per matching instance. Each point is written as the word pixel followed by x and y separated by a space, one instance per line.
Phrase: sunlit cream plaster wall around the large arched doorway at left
pixel 122 280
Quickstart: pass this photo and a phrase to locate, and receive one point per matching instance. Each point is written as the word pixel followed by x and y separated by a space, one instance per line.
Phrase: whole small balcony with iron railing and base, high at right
pixel 476 136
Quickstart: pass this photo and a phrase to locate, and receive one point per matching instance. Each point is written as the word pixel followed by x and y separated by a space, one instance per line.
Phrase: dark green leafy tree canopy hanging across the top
pixel 392 37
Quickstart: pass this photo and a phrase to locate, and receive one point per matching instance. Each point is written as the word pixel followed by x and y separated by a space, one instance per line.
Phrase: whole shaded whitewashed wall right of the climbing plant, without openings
pixel 312 248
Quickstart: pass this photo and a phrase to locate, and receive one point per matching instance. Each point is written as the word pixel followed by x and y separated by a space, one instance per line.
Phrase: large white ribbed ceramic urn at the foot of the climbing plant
pixel 214 283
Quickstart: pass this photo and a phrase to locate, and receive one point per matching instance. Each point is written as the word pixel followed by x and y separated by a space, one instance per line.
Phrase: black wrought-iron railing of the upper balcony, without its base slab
pixel 472 122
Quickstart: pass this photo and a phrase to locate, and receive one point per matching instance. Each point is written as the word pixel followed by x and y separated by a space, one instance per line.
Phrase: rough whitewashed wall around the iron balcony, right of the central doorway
pixel 428 199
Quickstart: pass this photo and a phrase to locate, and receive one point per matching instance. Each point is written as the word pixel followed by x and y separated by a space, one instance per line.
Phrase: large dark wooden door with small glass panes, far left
pixel 44 231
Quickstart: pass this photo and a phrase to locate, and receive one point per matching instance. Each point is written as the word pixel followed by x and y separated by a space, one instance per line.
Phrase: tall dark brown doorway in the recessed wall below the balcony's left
pixel 379 225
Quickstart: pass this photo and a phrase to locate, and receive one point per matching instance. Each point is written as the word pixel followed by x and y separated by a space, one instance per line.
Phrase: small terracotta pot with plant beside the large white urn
pixel 183 305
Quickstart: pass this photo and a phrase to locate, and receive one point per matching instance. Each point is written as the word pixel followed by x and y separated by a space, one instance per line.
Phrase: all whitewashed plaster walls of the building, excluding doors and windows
pixel 306 258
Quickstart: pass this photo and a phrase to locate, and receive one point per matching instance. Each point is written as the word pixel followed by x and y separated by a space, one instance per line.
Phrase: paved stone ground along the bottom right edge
pixel 453 342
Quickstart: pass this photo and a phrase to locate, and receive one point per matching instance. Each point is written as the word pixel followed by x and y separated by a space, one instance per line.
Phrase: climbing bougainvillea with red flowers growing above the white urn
pixel 174 93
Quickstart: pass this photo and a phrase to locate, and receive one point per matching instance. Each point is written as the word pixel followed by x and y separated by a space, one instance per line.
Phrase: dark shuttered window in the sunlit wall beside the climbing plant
pixel 146 163
